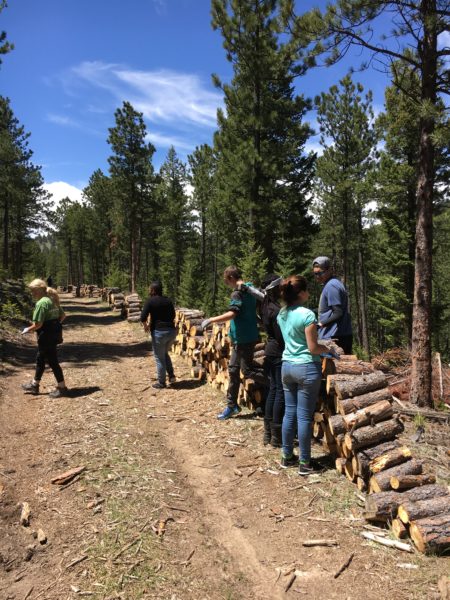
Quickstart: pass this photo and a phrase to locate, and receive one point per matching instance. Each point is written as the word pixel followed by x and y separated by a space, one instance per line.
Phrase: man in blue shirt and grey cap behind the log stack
pixel 334 318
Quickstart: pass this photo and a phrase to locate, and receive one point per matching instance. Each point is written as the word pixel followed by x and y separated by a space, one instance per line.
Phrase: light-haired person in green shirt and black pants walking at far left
pixel 46 322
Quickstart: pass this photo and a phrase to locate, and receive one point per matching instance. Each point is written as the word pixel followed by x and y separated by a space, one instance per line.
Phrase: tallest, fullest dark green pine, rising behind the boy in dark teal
pixel 263 175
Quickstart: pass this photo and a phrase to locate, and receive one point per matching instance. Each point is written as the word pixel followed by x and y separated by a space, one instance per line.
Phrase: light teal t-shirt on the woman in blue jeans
pixel 292 321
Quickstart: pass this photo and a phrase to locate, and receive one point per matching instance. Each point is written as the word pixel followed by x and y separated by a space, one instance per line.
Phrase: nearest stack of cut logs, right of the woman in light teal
pixel 357 423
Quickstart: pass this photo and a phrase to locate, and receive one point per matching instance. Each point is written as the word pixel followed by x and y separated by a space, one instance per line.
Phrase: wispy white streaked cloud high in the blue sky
pixel 161 95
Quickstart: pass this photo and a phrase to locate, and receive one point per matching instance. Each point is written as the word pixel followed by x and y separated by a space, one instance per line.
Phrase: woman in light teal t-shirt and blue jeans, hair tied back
pixel 301 372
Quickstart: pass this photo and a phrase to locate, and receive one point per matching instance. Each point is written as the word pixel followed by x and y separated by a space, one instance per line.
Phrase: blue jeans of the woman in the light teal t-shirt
pixel 301 384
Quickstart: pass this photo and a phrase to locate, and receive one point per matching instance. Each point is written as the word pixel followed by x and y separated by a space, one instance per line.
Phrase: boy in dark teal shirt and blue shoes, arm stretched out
pixel 243 333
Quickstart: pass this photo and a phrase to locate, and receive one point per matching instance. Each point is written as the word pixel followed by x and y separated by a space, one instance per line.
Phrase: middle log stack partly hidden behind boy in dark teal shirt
pixel 208 354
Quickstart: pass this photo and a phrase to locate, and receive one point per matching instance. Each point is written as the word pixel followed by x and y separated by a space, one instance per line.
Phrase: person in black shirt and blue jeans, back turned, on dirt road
pixel 161 311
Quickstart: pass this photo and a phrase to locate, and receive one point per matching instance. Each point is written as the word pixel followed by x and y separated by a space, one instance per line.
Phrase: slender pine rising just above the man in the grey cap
pixel 349 140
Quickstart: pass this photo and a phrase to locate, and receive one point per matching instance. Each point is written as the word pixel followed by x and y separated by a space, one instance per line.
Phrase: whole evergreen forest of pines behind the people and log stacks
pixel 375 198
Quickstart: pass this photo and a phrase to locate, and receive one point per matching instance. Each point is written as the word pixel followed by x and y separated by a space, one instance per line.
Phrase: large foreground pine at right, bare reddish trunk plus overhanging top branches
pixel 413 42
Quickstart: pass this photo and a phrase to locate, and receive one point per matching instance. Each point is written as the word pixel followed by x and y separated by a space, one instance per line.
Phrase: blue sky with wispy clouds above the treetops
pixel 74 63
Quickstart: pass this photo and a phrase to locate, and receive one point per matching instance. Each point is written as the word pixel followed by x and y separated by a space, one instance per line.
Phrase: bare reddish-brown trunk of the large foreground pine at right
pixel 421 328
